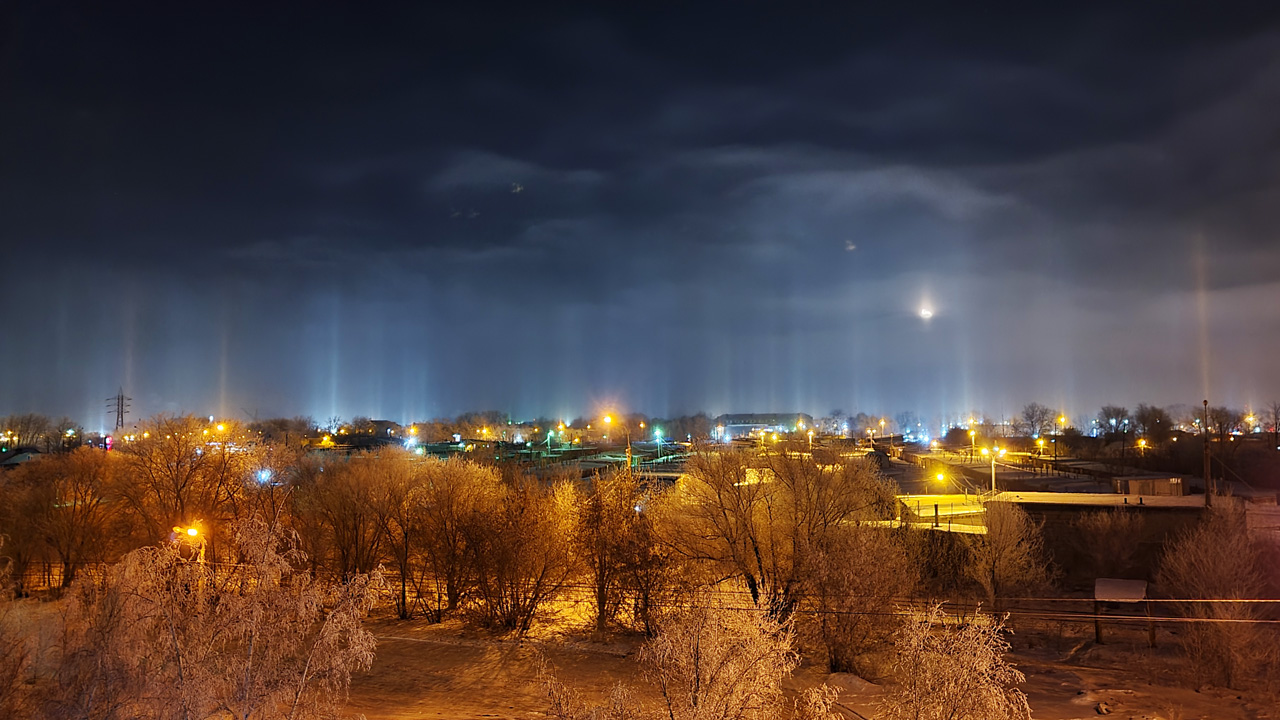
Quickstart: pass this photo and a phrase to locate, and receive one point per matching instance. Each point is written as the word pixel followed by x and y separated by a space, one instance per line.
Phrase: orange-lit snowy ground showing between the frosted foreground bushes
pixel 445 672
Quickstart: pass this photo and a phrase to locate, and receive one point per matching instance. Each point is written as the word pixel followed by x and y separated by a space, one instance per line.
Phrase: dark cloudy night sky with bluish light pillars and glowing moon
pixel 333 211
